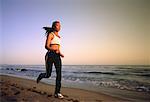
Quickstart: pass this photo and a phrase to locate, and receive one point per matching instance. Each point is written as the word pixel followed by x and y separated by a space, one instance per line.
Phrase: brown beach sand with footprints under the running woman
pixel 15 89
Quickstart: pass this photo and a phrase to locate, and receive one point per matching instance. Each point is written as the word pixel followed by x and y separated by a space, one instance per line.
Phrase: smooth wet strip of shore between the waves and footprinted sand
pixel 123 94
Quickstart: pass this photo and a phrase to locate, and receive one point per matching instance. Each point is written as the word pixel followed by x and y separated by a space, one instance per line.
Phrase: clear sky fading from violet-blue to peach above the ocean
pixel 93 31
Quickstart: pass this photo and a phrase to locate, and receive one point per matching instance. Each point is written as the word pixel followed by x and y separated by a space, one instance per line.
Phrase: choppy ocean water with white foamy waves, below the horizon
pixel 132 78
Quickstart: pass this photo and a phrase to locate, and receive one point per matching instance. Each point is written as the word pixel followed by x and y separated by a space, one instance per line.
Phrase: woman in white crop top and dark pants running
pixel 53 57
